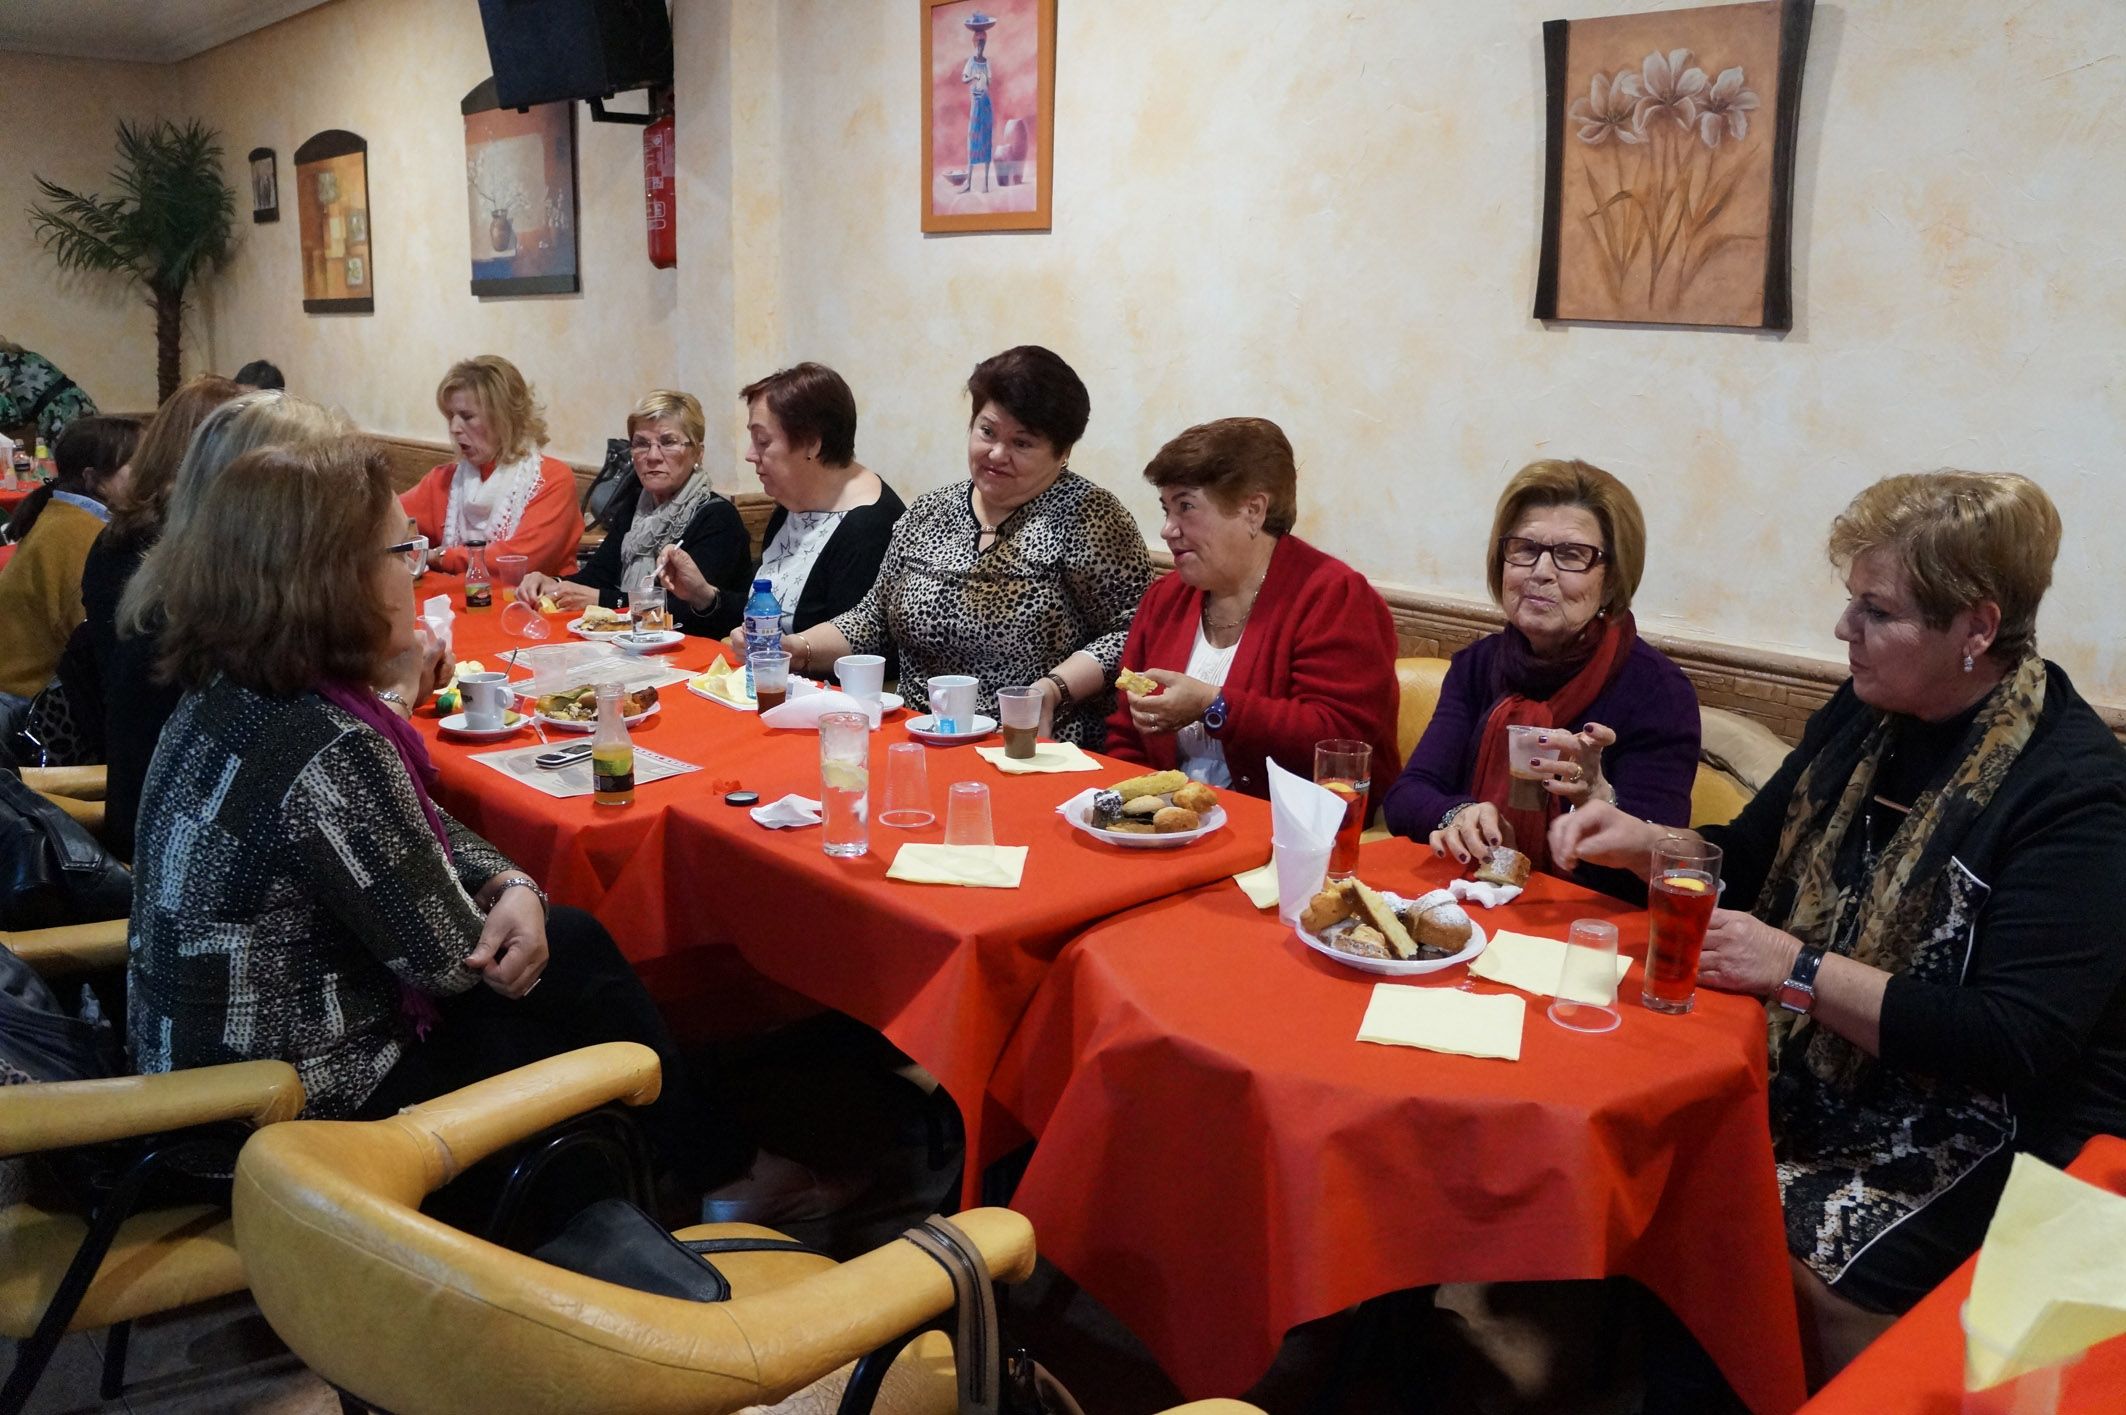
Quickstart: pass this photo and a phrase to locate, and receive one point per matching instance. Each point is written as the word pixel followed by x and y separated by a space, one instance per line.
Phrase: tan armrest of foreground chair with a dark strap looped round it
pixel 877 1297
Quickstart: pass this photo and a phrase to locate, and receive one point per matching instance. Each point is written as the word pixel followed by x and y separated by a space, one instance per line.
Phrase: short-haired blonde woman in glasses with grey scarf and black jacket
pixel 675 507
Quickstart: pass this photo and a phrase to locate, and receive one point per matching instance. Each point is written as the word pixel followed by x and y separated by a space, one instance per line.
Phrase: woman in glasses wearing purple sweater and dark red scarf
pixel 1568 547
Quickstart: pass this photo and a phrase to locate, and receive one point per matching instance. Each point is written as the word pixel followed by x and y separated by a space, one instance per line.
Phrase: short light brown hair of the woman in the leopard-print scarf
pixel 1963 539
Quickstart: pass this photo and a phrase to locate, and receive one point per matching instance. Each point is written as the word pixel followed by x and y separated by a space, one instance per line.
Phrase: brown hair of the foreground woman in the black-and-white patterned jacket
pixel 241 587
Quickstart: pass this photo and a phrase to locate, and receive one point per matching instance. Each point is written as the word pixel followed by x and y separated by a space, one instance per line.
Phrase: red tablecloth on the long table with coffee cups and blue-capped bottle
pixel 943 972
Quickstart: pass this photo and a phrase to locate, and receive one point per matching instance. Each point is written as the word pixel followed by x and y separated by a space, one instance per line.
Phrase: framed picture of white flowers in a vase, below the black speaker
pixel 522 197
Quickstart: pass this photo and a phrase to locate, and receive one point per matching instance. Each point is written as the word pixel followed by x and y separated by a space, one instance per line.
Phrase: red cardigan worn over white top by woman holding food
pixel 1315 662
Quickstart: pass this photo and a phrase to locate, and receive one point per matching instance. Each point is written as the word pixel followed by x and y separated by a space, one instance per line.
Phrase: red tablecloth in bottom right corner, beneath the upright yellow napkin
pixel 1919 1365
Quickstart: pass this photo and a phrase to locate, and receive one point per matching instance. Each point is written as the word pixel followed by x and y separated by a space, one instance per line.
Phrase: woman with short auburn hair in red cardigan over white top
pixel 1260 643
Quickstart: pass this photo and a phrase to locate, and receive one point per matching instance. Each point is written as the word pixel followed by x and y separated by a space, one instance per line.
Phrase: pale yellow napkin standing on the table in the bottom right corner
pixel 2053 1276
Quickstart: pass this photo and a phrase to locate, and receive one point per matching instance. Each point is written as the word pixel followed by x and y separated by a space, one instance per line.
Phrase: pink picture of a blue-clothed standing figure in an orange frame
pixel 990 75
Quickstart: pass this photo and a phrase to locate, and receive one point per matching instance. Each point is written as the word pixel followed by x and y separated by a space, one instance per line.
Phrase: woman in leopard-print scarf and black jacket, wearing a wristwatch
pixel 1921 893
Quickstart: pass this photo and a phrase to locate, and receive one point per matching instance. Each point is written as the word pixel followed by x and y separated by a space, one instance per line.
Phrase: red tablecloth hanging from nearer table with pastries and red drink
pixel 1221 1161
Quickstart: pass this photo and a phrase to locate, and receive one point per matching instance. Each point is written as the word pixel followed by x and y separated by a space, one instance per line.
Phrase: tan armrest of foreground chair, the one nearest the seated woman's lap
pixel 477 1121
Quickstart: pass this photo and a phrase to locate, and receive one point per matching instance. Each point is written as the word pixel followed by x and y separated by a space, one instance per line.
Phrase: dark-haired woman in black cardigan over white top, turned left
pixel 832 515
